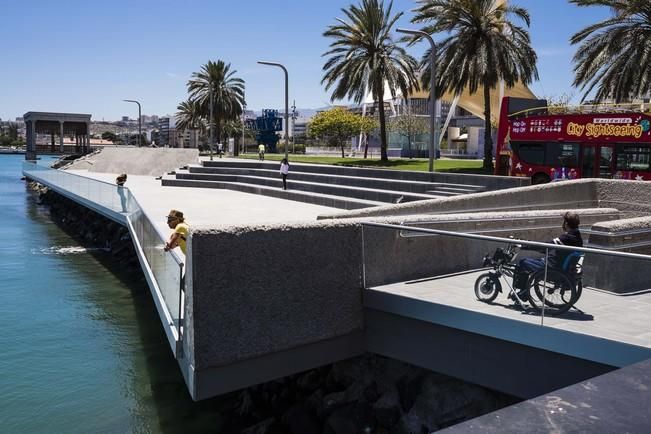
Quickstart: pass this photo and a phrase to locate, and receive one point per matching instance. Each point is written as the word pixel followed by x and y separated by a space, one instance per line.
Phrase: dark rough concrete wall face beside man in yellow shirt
pixel 260 290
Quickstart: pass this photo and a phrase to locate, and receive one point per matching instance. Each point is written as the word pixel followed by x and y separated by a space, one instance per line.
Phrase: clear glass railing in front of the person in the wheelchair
pixel 584 290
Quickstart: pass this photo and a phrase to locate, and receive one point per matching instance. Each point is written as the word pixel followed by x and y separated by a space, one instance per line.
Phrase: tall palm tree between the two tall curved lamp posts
pixel 364 56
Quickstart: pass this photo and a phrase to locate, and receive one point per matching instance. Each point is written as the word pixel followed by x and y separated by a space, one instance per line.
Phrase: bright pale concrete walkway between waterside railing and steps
pixel 206 207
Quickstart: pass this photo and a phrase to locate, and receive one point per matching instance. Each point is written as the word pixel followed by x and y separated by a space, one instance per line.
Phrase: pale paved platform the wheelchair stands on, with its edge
pixel 609 318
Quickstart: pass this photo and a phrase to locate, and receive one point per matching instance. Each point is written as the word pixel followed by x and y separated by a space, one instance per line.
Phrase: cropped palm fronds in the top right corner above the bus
pixel 615 54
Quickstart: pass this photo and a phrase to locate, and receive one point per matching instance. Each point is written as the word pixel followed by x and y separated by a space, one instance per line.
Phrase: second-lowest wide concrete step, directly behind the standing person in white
pixel 370 194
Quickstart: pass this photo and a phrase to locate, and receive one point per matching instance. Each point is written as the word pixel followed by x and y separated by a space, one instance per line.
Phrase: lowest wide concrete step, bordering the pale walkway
pixel 299 196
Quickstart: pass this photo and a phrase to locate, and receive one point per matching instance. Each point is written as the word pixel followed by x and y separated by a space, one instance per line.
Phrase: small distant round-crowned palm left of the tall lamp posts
pixel 227 90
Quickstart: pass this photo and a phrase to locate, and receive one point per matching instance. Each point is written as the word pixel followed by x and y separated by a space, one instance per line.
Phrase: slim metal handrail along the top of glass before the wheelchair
pixel 510 240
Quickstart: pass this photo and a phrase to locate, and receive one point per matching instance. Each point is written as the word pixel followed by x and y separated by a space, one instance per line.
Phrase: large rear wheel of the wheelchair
pixel 558 292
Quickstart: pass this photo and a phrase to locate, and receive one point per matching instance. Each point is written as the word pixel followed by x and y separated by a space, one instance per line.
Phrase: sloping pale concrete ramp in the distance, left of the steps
pixel 136 161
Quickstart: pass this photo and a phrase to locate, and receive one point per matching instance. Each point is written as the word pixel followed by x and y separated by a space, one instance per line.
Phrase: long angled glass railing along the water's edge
pixel 165 267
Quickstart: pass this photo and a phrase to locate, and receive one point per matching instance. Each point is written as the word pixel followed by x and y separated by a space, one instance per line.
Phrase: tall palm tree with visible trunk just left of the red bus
pixel 481 49
